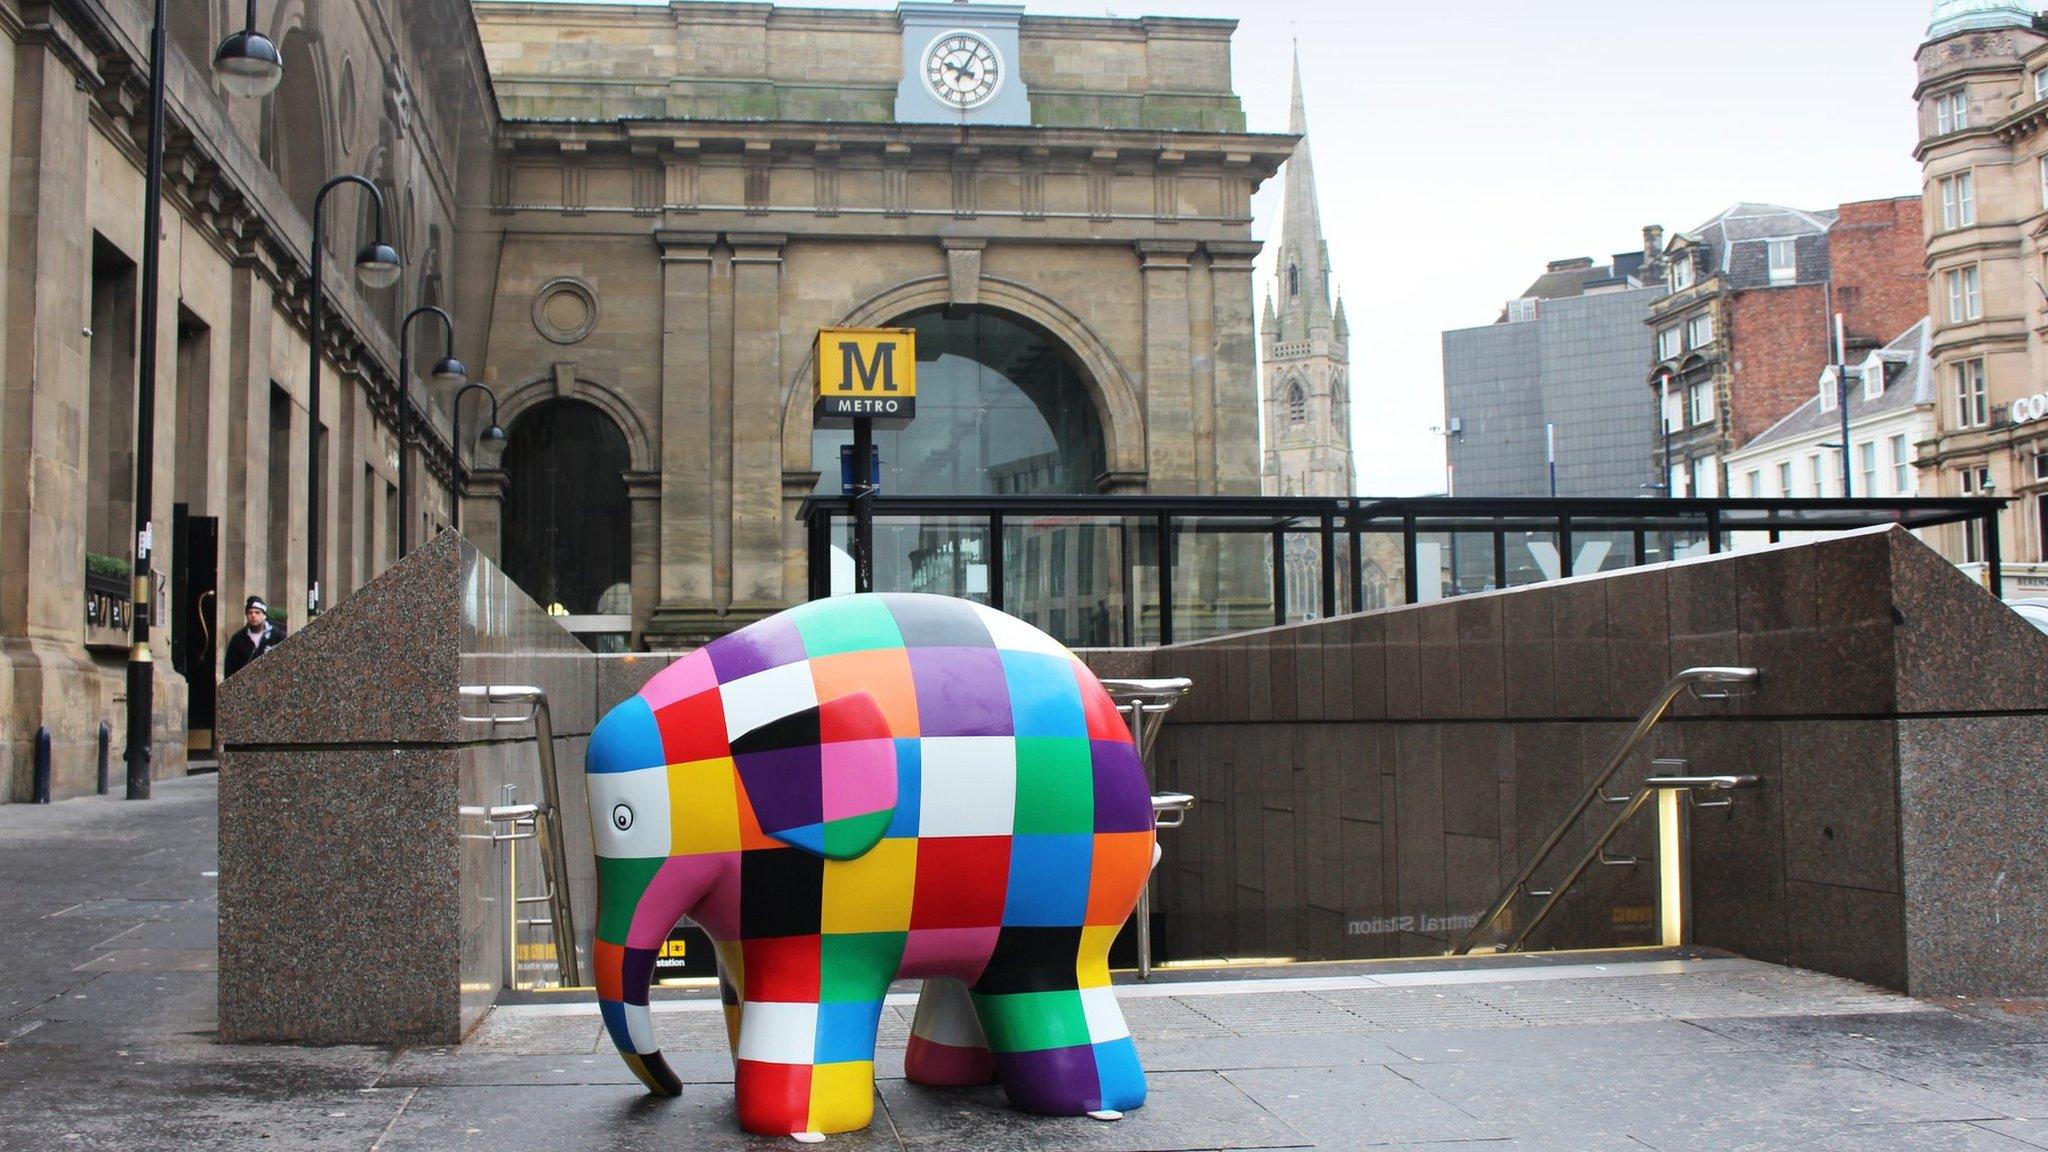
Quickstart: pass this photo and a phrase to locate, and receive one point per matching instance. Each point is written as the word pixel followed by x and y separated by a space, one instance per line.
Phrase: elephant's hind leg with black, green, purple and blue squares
pixel 1052 1018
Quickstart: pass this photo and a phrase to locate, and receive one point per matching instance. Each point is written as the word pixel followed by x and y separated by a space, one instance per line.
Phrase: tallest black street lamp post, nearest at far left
pixel 249 67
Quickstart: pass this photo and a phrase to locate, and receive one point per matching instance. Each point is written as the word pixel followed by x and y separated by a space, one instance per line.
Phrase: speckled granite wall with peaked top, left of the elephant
pixel 357 903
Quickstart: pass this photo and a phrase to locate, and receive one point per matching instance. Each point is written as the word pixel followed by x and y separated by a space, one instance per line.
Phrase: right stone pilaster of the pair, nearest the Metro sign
pixel 757 411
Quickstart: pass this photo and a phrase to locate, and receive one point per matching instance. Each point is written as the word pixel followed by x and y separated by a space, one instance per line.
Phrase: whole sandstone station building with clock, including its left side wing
pixel 640 218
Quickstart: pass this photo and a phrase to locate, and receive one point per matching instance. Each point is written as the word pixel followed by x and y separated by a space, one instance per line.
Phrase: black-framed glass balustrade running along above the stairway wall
pixel 1162 569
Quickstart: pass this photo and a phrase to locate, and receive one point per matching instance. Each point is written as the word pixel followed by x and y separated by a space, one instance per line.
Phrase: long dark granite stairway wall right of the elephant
pixel 1367 784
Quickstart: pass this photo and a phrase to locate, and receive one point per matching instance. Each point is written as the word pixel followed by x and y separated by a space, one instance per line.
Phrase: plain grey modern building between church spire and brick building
pixel 1566 360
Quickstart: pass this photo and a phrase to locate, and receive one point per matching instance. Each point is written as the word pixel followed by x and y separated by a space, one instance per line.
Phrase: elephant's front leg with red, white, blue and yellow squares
pixel 810 1065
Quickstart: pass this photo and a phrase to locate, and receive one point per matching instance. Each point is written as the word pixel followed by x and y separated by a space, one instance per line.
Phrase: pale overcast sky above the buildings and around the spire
pixel 1465 145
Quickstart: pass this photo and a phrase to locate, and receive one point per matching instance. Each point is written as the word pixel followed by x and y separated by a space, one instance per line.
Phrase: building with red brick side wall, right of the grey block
pixel 1748 325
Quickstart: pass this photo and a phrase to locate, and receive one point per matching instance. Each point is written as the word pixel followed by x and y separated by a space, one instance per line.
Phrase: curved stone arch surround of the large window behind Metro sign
pixel 1109 384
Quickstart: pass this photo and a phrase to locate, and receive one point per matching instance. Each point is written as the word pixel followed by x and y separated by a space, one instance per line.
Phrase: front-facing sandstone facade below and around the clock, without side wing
pixel 730 179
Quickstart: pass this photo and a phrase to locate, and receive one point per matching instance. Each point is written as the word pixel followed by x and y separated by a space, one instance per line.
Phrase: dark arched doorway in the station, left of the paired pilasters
pixel 568 532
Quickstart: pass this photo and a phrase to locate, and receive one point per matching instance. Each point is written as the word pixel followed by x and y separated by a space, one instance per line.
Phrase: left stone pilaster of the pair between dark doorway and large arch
pixel 683 485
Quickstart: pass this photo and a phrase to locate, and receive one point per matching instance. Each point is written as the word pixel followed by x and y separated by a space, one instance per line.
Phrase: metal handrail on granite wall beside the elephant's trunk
pixel 540 823
